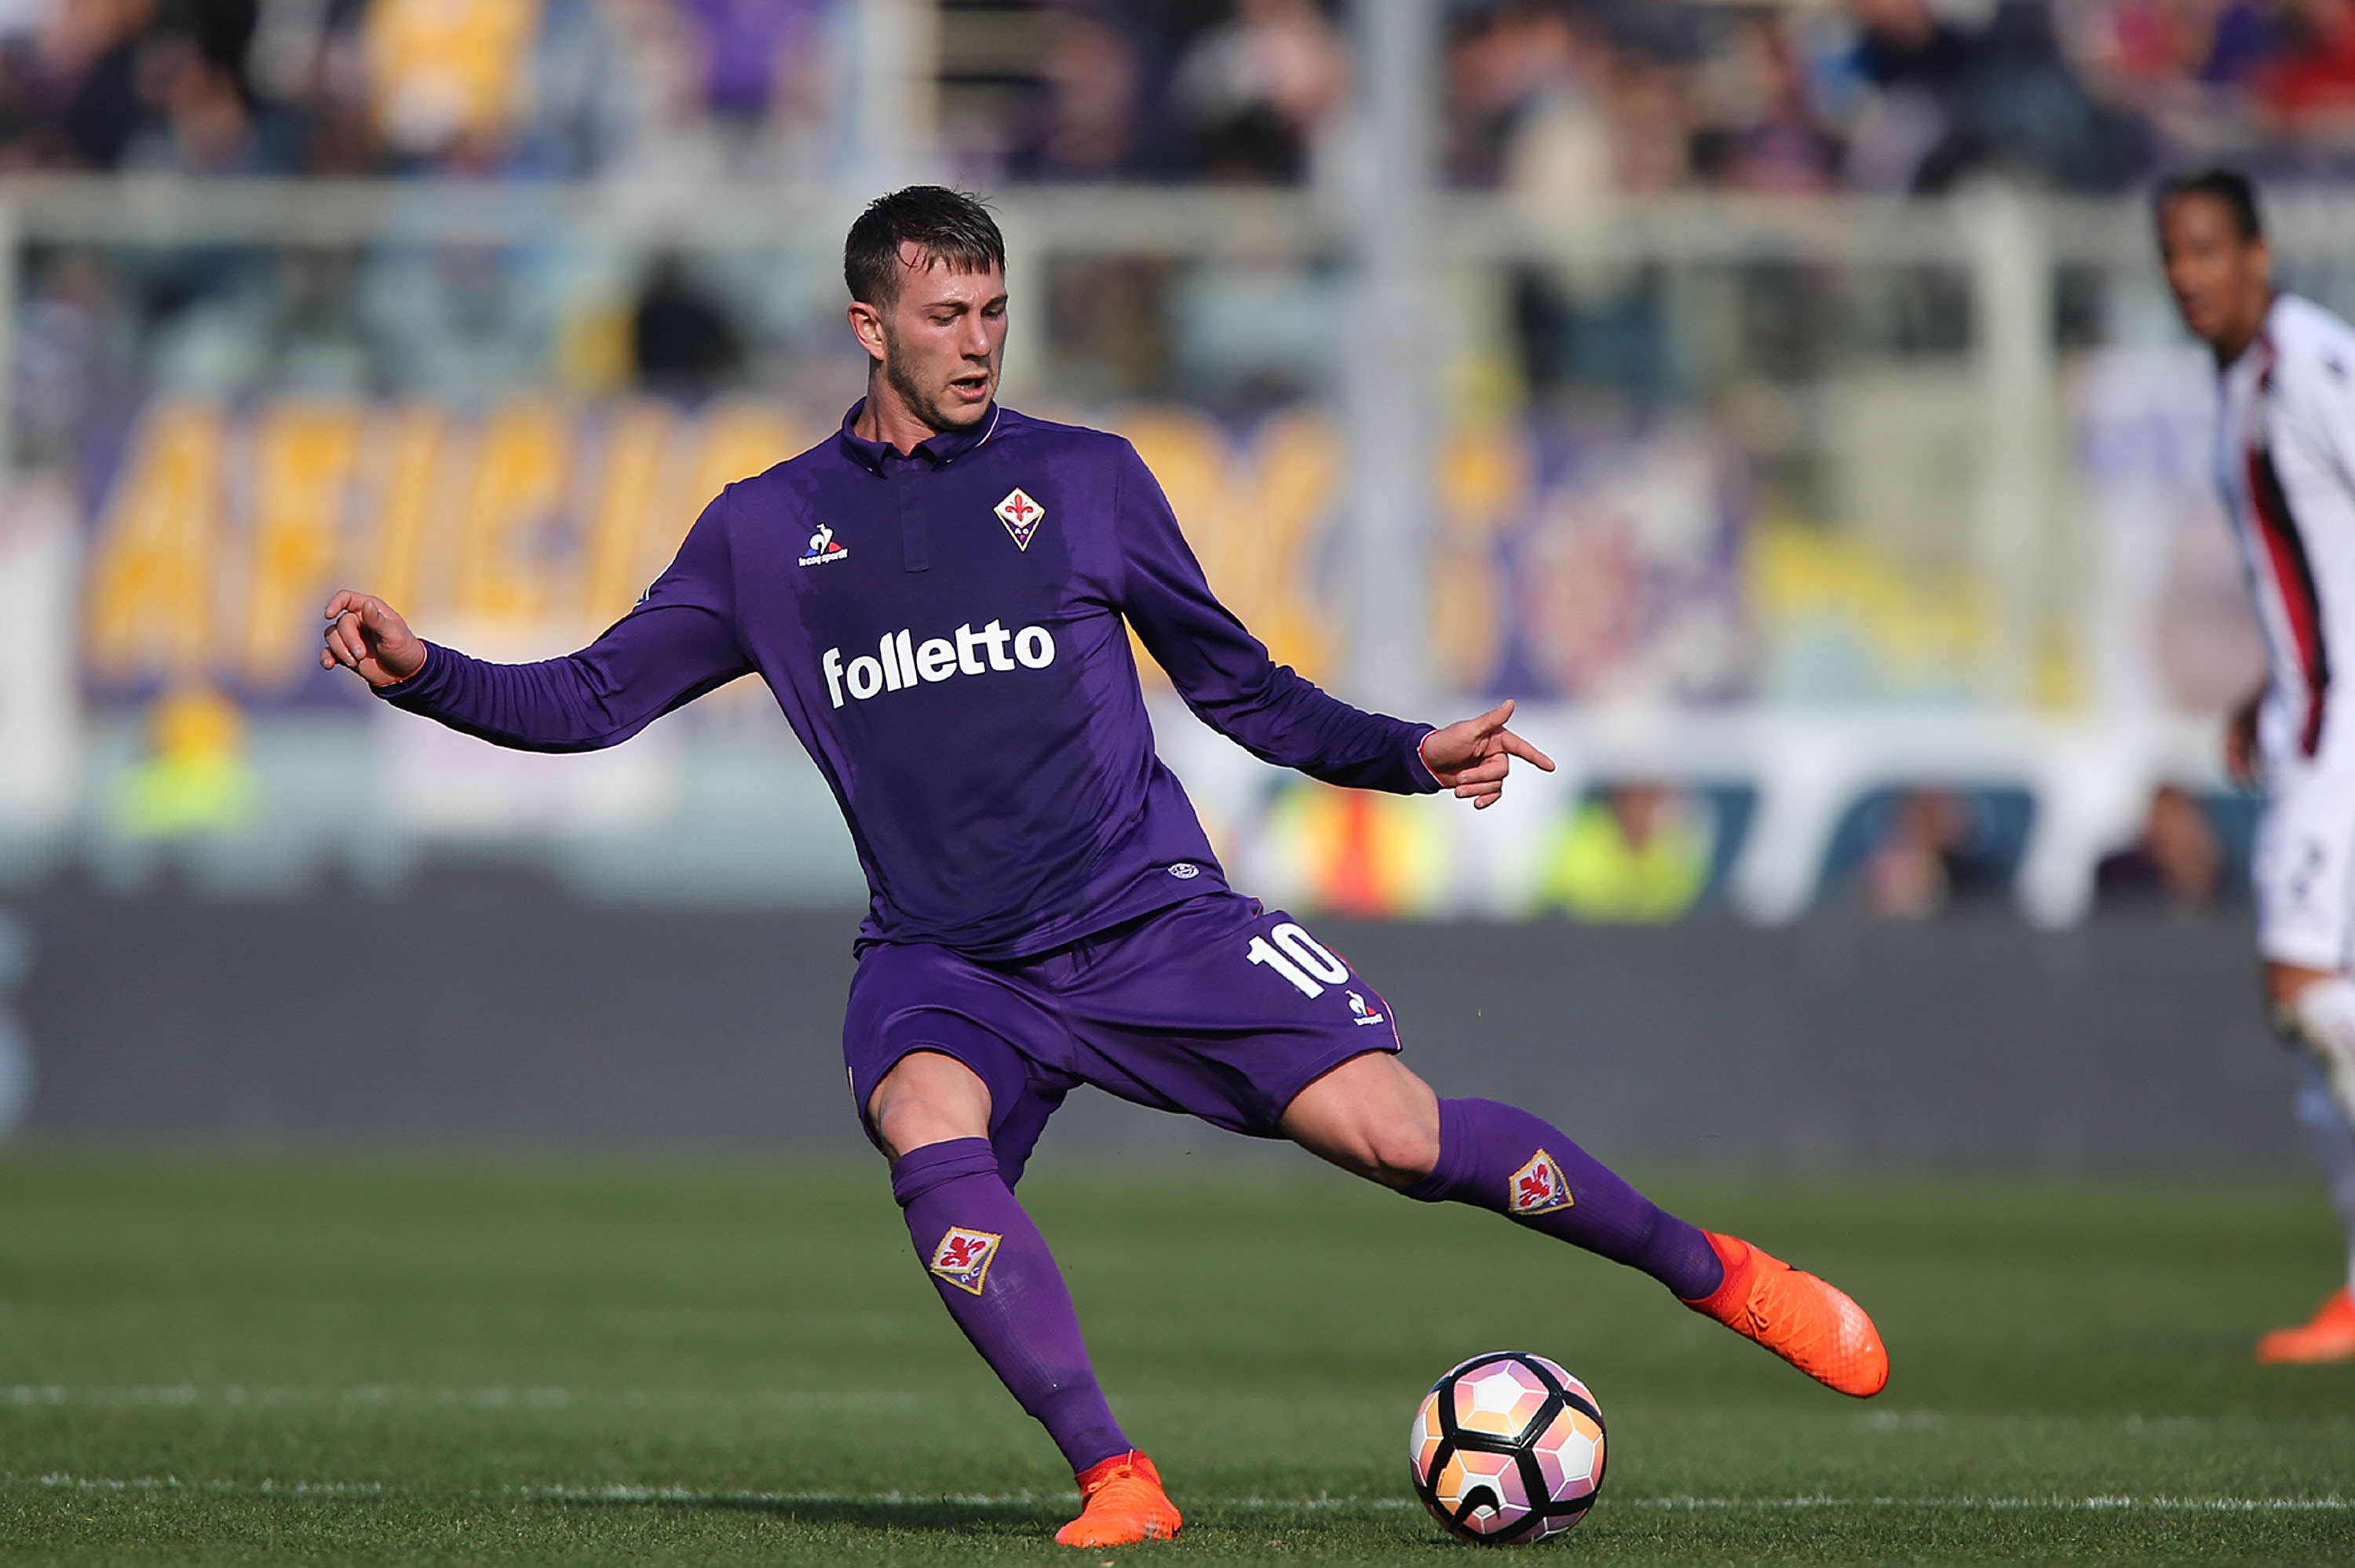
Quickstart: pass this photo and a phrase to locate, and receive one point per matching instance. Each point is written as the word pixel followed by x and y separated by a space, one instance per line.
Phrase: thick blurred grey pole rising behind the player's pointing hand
pixel 1388 397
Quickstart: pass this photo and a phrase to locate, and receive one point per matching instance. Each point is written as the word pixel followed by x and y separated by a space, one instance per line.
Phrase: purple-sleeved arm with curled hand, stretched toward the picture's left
pixel 670 651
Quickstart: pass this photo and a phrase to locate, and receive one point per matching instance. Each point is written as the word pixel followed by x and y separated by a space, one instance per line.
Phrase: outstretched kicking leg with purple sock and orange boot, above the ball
pixel 1379 1119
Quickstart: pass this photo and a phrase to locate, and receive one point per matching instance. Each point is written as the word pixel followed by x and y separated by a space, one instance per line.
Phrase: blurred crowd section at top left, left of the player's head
pixel 350 88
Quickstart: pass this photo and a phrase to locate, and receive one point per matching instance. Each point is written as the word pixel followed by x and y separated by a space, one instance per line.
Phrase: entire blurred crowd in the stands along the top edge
pixel 1548 98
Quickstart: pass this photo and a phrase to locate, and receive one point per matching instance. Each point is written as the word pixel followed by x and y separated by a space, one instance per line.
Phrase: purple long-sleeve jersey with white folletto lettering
pixel 946 632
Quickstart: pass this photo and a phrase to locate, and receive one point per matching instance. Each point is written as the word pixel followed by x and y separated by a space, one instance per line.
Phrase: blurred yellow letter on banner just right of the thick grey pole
pixel 1485 474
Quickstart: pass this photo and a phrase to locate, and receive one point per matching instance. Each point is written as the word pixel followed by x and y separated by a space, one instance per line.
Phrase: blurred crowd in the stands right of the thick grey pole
pixel 1563 98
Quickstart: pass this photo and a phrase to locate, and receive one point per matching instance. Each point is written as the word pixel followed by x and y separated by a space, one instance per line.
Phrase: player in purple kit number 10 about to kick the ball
pixel 941 599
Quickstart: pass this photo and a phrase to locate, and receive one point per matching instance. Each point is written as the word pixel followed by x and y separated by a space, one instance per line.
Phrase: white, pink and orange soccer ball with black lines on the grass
pixel 1508 1449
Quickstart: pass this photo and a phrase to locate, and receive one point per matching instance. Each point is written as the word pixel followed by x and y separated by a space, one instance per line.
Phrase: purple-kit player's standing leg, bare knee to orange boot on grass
pixel 1000 1282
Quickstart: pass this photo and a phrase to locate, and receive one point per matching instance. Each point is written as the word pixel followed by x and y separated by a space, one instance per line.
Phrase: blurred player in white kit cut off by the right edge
pixel 2286 460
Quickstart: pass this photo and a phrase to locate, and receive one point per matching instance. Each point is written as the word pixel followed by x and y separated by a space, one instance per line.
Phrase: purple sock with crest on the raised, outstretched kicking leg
pixel 1525 1169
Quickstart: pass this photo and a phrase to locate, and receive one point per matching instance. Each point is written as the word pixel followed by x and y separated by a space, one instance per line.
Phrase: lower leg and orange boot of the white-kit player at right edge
pixel 2318 1014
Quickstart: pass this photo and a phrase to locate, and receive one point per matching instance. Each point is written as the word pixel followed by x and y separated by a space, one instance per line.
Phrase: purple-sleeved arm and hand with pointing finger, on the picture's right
pixel 1228 679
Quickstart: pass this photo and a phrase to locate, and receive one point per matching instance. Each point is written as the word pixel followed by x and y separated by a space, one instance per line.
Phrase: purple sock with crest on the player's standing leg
pixel 1004 1289
